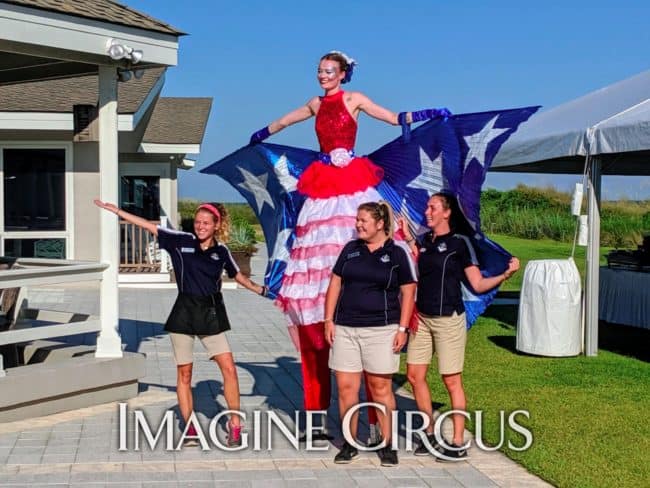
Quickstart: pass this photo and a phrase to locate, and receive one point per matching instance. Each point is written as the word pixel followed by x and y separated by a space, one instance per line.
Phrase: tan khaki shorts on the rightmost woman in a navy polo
pixel 445 336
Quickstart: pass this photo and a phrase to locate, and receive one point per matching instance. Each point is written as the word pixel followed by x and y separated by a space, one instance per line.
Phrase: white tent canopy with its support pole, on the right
pixel 606 132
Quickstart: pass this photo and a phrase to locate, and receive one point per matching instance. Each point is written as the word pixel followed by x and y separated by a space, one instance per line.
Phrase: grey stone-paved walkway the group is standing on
pixel 80 447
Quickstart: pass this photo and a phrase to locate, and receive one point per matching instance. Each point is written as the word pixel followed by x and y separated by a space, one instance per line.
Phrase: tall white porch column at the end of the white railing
pixel 109 344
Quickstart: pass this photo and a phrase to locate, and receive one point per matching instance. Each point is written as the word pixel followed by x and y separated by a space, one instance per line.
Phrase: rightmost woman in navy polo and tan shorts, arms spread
pixel 445 259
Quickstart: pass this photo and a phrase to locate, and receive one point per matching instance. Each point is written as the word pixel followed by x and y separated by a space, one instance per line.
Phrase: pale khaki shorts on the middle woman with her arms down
pixel 370 349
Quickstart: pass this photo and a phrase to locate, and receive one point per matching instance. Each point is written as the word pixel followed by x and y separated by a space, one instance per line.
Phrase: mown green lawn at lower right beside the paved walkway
pixel 588 416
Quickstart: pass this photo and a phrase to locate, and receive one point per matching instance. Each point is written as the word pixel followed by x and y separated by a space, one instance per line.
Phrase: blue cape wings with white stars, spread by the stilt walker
pixel 451 155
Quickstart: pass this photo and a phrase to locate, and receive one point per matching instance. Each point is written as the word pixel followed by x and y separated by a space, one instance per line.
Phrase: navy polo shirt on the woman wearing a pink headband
pixel 198 272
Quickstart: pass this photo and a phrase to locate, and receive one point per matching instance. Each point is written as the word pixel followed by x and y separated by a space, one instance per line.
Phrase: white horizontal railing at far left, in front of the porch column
pixel 36 272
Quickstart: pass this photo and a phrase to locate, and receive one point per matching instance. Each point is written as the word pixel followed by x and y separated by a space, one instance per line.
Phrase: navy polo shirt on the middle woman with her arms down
pixel 370 283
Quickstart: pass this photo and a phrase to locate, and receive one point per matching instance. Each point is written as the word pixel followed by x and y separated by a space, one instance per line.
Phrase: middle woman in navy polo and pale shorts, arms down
pixel 364 322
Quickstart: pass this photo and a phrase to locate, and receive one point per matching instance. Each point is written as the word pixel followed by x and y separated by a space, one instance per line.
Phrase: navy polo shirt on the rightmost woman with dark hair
pixel 441 270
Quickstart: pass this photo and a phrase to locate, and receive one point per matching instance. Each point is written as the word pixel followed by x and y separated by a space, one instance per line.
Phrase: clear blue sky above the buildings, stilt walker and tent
pixel 258 60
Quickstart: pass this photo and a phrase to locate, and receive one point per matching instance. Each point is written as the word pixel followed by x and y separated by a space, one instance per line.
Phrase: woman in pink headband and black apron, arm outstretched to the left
pixel 199 260
